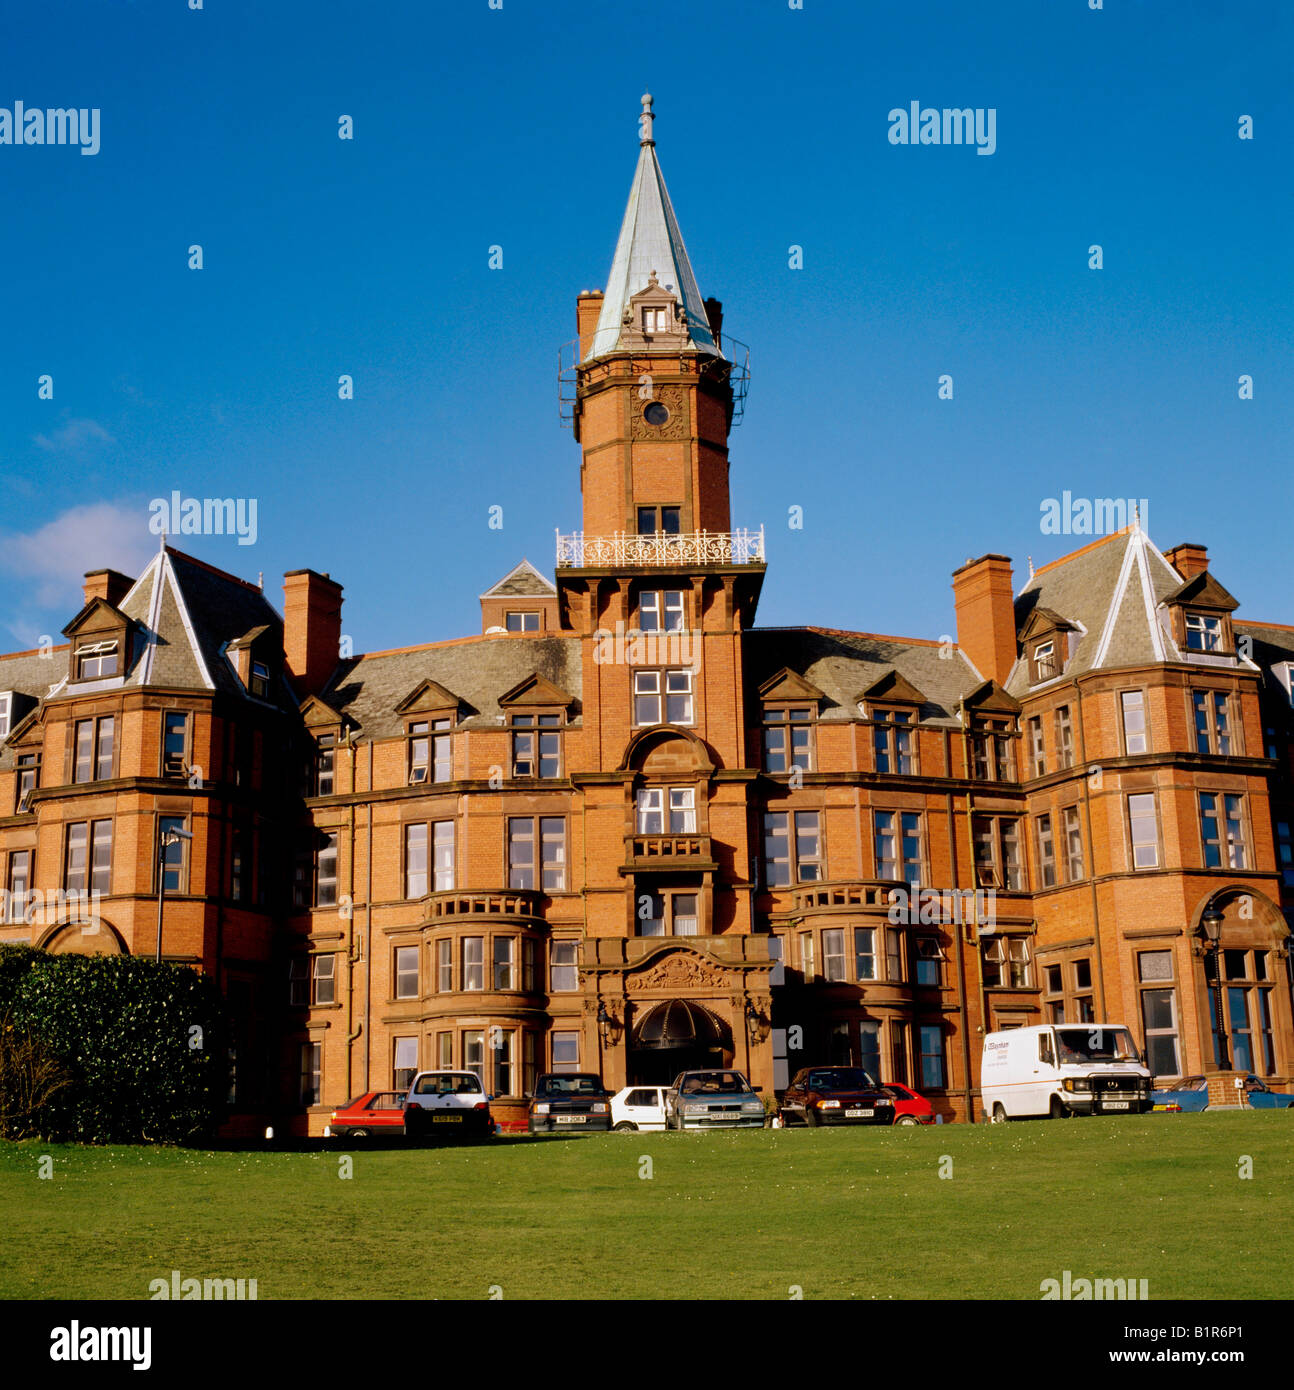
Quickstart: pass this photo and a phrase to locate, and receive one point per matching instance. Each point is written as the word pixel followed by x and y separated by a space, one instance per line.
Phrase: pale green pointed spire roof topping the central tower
pixel 650 241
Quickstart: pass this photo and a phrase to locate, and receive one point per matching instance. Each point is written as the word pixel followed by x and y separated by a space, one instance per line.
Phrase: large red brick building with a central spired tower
pixel 625 829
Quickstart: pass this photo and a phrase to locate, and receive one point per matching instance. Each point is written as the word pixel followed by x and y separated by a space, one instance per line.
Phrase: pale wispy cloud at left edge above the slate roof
pixel 47 566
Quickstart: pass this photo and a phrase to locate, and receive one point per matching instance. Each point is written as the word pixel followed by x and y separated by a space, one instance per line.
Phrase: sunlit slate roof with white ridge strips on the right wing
pixel 1111 590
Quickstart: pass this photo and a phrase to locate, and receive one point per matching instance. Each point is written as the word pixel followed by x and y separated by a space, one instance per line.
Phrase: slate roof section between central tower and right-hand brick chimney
pixel 844 665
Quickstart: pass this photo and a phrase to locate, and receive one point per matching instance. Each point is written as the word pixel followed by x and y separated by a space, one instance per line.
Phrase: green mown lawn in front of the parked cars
pixel 842 1214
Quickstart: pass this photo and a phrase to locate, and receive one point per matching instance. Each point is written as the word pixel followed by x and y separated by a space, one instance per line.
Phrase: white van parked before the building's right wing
pixel 1064 1070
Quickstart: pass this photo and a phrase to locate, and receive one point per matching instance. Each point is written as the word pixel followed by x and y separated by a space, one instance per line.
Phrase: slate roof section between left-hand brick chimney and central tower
pixel 476 669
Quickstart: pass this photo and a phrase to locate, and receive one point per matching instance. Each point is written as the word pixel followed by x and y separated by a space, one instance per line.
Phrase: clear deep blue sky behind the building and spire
pixel 518 127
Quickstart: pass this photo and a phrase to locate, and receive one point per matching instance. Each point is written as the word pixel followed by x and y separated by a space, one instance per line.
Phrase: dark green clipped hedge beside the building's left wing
pixel 142 1049
